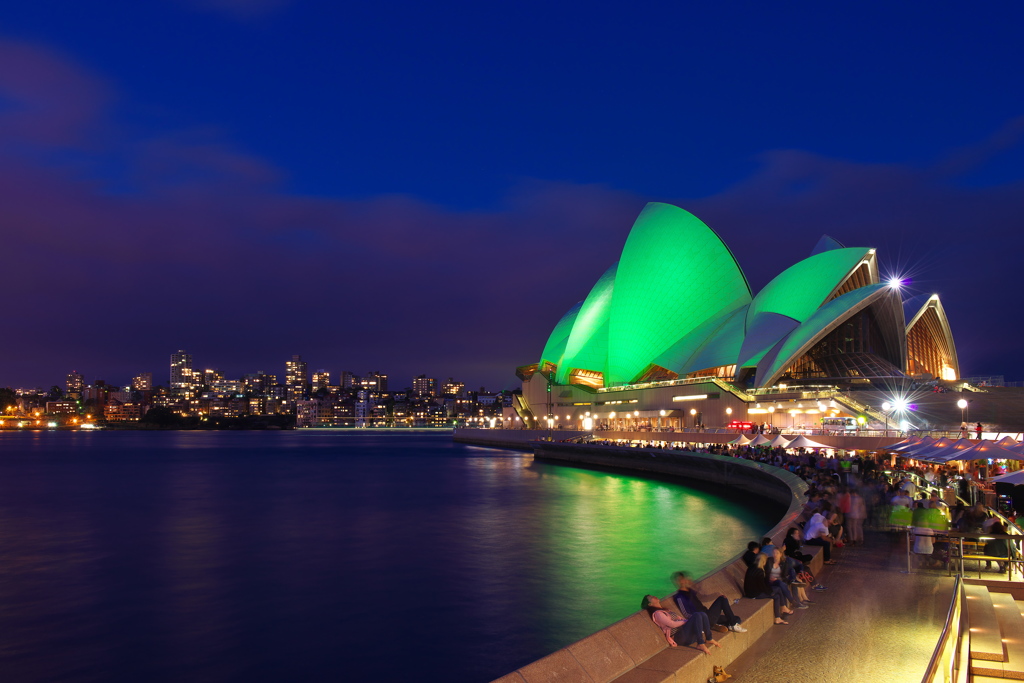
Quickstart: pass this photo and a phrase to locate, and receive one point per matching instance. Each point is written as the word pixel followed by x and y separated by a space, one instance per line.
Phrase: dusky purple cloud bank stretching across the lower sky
pixel 196 244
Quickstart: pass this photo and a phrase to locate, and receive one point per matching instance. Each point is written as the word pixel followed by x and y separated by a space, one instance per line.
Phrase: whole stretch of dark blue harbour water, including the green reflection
pixel 321 557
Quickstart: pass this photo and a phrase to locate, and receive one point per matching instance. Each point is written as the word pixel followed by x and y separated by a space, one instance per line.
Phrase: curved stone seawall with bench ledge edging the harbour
pixel 634 649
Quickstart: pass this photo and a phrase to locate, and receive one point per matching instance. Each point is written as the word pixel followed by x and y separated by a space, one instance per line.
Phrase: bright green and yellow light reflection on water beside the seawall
pixel 609 539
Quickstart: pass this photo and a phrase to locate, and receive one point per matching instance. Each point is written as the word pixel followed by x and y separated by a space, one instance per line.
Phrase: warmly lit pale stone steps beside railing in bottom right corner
pixel 997 635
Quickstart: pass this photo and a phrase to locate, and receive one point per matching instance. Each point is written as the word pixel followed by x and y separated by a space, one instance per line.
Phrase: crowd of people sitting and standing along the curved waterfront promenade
pixel 844 495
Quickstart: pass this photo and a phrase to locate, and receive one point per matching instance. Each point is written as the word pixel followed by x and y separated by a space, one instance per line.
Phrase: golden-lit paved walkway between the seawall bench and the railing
pixel 875 623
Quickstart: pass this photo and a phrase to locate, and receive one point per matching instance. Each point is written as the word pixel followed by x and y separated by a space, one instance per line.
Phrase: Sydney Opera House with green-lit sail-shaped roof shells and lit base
pixel 672 334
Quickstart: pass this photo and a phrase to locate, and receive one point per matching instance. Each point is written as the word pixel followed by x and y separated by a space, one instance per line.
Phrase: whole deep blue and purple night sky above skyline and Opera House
pixel 426 188
